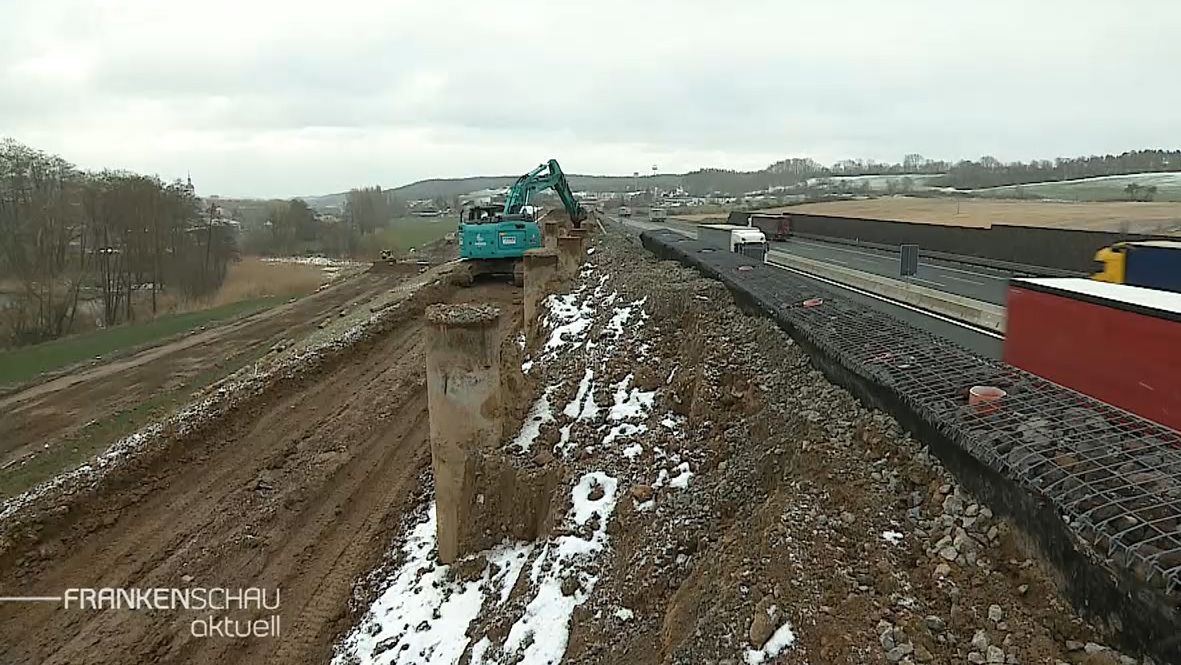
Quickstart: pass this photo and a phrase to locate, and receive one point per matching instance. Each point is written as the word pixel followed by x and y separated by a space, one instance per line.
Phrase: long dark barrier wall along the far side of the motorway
pixel 1056 249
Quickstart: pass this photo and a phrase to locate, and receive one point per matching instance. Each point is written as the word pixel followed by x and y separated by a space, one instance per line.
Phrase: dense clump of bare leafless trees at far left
pixel 102 245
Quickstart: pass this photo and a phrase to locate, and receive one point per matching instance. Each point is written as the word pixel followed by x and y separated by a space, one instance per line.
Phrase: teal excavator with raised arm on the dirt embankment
pixel 494 238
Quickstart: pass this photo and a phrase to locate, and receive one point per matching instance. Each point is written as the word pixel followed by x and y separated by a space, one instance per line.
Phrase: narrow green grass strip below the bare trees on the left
pixel 21 366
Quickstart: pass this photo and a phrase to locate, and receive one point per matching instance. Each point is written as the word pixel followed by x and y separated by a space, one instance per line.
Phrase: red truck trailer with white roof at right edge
pixel 1117 343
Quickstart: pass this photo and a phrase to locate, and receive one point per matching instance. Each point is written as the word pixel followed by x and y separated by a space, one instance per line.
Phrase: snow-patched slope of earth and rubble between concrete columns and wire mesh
pixel 764 513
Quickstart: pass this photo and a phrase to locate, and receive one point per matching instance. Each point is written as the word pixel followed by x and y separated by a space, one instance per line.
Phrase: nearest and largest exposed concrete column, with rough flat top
pixel 464 393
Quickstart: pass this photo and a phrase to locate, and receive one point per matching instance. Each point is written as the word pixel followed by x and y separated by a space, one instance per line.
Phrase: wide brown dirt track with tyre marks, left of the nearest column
pixel 299 491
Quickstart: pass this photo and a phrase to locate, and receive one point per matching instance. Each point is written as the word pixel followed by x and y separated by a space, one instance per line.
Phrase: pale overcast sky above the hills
pixel 282 99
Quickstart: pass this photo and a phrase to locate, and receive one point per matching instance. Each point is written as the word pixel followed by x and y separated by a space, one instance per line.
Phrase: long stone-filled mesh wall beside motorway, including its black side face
pixel 1097 490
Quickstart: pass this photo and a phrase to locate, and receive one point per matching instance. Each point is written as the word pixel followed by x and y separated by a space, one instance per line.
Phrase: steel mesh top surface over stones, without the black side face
pixel 1113 477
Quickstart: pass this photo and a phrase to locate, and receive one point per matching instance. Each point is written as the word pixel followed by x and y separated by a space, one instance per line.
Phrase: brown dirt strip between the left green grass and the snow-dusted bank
pixel 55 410
